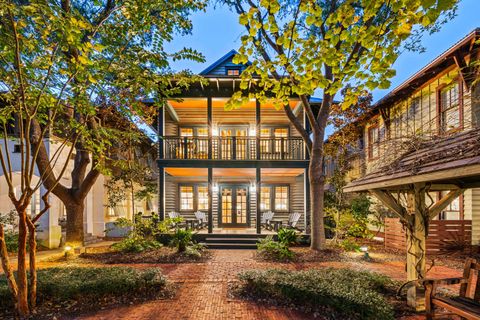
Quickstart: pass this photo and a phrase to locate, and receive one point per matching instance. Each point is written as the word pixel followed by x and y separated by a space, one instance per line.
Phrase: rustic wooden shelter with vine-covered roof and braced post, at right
pixel 450 164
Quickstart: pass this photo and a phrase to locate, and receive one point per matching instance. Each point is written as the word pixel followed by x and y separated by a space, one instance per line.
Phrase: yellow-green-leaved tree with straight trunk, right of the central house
pixel 301 47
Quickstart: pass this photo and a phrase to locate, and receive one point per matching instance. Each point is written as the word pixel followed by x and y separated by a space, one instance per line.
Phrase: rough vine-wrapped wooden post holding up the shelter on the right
pixel 416 245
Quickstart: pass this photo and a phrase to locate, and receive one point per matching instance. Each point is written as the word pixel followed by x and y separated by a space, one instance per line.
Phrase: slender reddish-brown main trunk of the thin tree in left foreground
pixel 22 294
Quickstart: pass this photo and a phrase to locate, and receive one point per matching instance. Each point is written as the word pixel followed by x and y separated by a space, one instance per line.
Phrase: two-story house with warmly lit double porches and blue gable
pixel 231 164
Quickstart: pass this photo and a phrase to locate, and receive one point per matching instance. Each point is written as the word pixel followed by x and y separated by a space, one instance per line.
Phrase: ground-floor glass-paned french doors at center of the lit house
pixel 234 206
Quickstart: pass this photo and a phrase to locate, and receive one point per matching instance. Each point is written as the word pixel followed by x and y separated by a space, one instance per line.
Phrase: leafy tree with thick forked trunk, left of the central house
pixel 108 50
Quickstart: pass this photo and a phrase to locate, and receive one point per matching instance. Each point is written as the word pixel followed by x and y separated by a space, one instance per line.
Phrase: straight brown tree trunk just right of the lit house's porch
pixel 317 182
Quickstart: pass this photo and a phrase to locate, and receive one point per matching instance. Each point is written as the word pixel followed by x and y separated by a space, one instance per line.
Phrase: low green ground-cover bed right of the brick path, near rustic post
pixel 348 292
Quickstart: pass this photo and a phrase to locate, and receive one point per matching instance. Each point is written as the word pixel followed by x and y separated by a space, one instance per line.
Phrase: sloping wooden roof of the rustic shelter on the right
pixel 452 160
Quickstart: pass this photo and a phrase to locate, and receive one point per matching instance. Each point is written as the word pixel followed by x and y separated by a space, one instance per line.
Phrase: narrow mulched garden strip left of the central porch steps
pixel 160 255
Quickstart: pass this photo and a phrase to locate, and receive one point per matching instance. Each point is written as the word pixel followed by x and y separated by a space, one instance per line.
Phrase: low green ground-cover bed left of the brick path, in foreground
pixel 57 285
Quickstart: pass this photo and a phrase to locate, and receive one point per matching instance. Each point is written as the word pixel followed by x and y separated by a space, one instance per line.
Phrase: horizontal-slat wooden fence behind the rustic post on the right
pixel 445 236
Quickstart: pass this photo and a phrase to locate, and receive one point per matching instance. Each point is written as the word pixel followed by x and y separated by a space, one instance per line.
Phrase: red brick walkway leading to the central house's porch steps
pixel 203 289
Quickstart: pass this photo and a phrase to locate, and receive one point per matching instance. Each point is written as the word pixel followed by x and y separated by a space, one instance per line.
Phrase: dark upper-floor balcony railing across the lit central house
pixel 234 148
